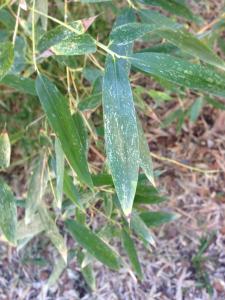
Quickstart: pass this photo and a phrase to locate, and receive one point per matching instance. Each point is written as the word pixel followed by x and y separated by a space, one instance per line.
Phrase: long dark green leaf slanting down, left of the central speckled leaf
pixel 59 116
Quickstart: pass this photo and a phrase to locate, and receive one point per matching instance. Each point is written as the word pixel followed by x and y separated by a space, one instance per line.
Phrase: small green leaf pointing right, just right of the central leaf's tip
pixel 157 218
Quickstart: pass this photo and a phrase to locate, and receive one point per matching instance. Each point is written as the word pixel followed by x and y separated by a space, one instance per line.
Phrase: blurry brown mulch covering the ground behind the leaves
pixel 169 272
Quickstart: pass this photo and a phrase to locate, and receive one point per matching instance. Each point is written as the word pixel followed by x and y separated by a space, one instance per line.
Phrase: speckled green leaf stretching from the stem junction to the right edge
pixel 180 71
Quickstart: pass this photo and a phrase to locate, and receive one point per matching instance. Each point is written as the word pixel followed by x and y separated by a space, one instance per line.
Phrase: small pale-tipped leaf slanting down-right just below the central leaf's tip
pixel 138 225
